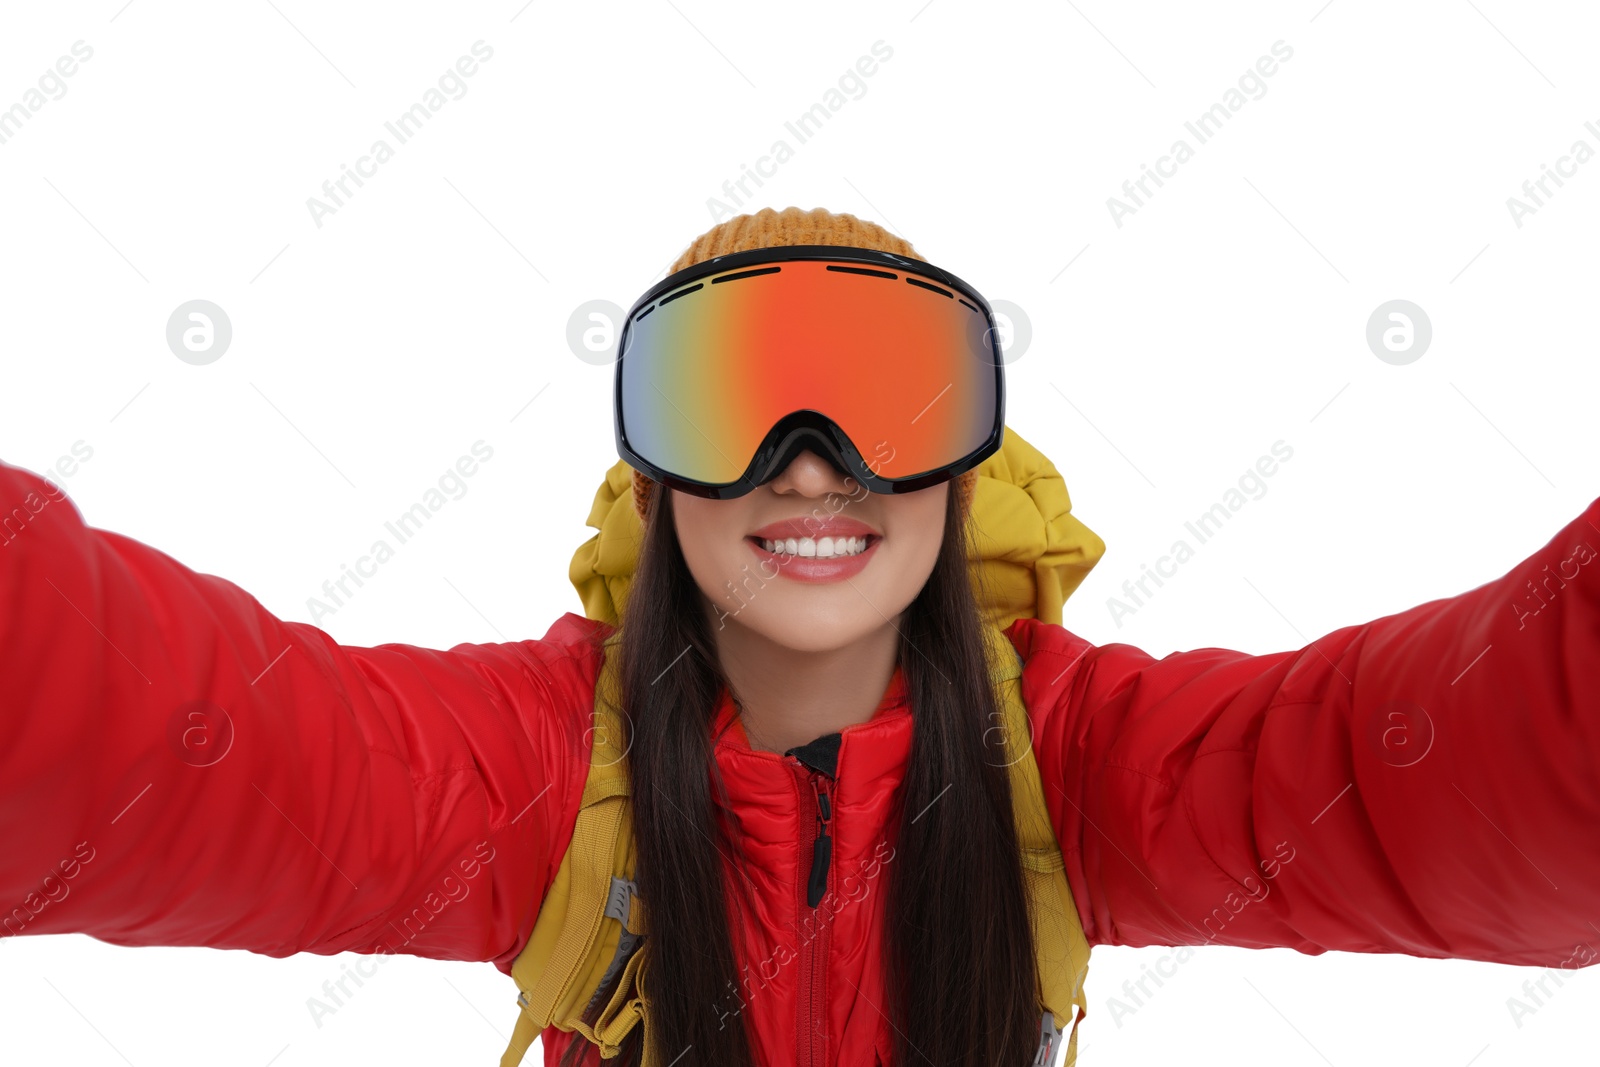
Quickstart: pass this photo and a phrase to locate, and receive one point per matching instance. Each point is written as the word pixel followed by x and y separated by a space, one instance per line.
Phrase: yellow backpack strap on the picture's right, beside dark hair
pixel 1060 948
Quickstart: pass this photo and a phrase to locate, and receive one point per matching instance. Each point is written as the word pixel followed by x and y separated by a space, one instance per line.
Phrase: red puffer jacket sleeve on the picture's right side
pixel 1428 783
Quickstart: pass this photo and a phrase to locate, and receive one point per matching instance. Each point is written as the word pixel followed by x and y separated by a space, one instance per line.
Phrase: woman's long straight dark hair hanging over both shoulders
pixel 959 954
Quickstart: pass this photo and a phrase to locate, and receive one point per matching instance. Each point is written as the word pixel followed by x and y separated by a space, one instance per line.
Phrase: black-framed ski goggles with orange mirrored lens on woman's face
pixel 887 367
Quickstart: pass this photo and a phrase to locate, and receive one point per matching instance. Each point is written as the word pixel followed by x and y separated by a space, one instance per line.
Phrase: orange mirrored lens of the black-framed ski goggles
pixel 903 364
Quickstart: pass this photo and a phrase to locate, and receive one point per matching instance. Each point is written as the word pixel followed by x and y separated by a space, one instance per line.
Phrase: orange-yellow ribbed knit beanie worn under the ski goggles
pixel 772 230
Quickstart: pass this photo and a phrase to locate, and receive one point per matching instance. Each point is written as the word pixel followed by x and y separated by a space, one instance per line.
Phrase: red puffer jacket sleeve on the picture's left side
pixel 178 767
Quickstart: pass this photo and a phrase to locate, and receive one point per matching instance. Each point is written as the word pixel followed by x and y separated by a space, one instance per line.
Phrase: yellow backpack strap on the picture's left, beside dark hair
pixel 574 951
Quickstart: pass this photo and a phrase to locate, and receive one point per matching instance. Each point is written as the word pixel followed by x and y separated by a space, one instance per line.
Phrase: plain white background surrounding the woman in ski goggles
pixel 425 314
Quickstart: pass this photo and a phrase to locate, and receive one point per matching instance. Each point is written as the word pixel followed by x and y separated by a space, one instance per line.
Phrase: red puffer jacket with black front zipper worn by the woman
pixel 209 775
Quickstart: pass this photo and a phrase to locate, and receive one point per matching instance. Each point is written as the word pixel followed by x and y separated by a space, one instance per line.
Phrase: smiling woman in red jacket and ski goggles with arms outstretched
pixel 215 777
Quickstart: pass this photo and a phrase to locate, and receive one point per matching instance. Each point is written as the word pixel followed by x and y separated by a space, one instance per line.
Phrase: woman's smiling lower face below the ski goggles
pixel 812 561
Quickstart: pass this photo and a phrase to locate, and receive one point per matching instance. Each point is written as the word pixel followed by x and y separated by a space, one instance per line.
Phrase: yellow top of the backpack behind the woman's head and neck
pixel 1031 551
